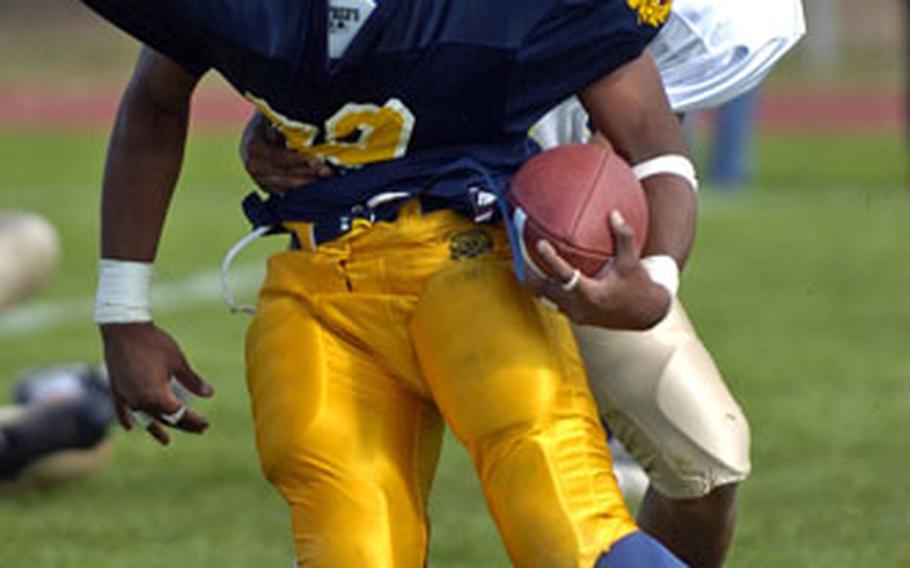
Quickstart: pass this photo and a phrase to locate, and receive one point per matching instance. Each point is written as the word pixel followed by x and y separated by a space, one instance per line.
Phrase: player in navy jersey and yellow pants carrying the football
pixel 395 312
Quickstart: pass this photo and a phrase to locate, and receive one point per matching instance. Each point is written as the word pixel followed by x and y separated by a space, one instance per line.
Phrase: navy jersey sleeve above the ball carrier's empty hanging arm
pixel 158 24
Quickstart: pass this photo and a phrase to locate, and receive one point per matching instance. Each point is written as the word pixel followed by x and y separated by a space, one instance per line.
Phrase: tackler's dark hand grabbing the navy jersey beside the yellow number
pixel 272 165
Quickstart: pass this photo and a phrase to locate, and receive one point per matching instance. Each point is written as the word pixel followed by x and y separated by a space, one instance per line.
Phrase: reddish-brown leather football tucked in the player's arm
pixel 565 196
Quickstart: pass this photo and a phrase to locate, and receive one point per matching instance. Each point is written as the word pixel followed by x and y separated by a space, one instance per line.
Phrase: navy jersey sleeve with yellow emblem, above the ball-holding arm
pixel 578 42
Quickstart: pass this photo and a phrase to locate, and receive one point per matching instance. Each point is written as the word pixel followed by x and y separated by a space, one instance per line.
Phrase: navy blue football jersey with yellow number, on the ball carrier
pixel 432 97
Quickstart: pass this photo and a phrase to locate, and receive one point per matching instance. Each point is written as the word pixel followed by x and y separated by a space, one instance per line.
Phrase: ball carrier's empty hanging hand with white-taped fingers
pixel 142 361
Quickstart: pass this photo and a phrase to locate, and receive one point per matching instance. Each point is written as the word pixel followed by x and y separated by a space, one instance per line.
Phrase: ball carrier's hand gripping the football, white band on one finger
pixel 625 297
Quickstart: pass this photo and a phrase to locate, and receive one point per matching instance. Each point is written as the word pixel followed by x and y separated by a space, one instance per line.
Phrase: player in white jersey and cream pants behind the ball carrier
pixel 659 390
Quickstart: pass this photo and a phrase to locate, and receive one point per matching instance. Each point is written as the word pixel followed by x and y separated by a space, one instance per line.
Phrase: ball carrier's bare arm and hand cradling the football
pixel 631 110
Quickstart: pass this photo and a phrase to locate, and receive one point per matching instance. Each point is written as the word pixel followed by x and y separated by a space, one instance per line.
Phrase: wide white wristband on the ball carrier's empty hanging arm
pixel 123 292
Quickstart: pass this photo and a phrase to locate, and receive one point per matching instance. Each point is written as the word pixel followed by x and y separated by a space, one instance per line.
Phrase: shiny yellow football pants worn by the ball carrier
pixel 363 348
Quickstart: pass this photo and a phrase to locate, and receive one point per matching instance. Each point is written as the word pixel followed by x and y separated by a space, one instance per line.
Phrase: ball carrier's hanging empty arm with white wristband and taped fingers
pixel 143 162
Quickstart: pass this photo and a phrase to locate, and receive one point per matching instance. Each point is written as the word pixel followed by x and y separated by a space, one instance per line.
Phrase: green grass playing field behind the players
pixel 799 288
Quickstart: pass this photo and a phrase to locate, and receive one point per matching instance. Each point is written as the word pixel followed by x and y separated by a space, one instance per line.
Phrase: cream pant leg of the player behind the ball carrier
pixel 664 399
